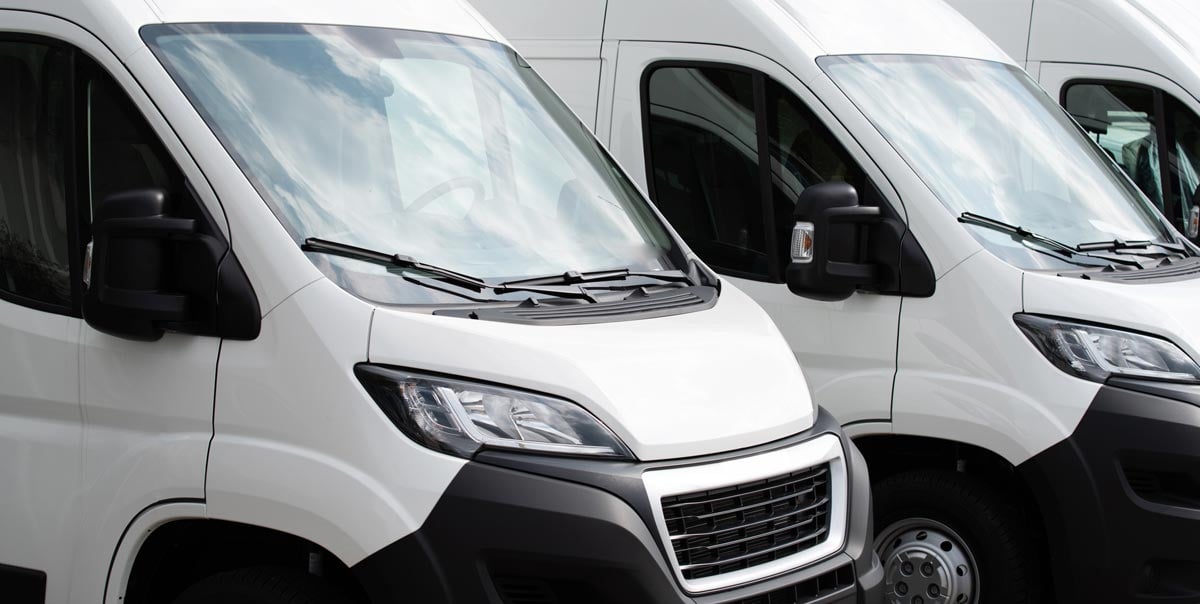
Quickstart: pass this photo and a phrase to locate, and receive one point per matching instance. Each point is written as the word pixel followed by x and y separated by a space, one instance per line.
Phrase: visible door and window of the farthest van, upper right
pixel 1135 116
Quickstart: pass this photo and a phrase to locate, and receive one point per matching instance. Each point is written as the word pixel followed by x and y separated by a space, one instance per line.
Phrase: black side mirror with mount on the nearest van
pixel 152 272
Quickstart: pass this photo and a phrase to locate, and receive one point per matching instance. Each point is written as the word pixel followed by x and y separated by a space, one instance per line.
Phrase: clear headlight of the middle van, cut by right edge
pixel 1097 354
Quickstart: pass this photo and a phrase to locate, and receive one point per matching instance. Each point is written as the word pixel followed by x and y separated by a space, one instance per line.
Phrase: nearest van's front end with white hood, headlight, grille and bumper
pixel 700 474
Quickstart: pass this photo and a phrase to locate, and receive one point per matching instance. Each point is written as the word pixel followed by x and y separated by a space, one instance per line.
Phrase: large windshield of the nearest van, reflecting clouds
pixel 445 149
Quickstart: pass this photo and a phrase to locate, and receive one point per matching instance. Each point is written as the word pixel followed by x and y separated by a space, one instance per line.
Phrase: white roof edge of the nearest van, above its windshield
pixel 117 22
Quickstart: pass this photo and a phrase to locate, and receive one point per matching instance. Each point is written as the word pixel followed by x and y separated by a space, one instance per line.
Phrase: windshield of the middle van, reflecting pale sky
pixel 988 141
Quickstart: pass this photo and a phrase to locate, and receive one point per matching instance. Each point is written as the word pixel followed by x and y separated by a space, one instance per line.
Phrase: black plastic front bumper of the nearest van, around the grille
pixel 517 529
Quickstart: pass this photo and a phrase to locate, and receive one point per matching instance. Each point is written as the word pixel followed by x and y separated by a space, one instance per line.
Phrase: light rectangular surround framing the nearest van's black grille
pixel 704 477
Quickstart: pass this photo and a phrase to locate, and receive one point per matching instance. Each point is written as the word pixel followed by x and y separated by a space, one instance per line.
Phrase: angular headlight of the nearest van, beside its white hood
pixel 460 417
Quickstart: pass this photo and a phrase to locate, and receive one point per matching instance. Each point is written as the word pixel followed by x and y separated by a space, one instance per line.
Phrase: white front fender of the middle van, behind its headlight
pixel 981 382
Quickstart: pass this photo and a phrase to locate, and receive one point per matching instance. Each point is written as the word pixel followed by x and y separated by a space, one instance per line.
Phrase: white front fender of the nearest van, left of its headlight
pixel 301 447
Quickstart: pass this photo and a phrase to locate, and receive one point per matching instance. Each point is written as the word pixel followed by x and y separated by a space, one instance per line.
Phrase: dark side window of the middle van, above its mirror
pixel 709 130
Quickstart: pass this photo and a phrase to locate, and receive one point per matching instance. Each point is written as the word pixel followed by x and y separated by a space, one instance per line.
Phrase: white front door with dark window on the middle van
pixel 725 142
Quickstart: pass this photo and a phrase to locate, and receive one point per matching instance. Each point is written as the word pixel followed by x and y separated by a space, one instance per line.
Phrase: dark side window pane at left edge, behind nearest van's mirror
pixel 34 149
